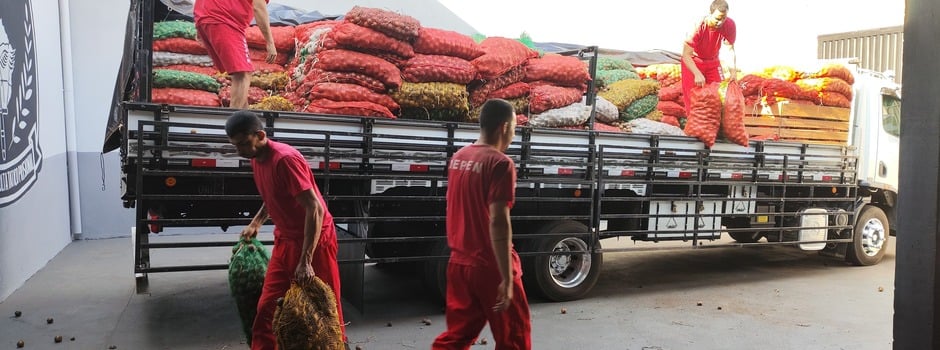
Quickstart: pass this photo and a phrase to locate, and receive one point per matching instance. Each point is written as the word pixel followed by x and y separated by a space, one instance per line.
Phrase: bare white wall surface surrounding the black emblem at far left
pixel 35 227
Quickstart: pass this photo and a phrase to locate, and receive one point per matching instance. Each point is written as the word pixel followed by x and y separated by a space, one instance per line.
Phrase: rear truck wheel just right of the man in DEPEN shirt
pixel 575 279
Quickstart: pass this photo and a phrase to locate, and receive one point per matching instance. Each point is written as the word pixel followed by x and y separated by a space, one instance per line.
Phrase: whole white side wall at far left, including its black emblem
pixel 34 194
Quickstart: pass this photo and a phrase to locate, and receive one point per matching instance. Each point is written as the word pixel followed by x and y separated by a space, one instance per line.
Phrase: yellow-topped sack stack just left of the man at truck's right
pixel 671 102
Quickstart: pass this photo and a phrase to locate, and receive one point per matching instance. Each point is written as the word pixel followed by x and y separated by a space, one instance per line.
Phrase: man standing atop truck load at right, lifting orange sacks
pixel 700 64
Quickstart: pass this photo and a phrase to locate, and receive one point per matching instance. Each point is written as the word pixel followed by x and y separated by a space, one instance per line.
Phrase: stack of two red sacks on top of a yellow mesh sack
pixel 436 78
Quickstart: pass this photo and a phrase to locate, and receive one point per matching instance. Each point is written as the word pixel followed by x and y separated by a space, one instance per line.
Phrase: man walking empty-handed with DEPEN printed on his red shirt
pixel 484 276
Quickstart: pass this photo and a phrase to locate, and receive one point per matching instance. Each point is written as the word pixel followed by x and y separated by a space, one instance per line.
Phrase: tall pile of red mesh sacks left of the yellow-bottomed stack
pixel 350 67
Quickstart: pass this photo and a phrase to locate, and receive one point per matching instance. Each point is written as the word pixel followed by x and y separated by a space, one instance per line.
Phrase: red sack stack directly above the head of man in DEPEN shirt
pixel 501 69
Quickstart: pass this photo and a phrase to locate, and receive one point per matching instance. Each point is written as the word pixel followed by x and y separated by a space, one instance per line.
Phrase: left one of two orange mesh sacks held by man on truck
pixel 705 114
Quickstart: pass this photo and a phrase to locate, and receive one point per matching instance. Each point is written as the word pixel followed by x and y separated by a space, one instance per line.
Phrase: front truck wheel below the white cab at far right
pixel 870 238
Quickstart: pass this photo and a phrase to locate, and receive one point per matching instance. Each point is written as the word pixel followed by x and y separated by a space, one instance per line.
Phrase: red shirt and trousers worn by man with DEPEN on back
pixel 478 176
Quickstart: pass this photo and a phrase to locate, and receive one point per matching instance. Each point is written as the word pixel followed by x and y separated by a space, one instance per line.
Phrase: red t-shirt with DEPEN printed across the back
pixel 478 175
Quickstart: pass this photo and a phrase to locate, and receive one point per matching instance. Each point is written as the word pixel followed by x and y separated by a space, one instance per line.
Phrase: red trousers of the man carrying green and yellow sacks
pixel 281 269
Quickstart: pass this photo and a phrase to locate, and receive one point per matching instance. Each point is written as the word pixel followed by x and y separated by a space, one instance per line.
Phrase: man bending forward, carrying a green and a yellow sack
pixel 304 235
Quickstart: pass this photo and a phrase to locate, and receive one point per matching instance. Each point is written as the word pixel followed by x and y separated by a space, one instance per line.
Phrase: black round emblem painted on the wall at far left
pixel 20 155
